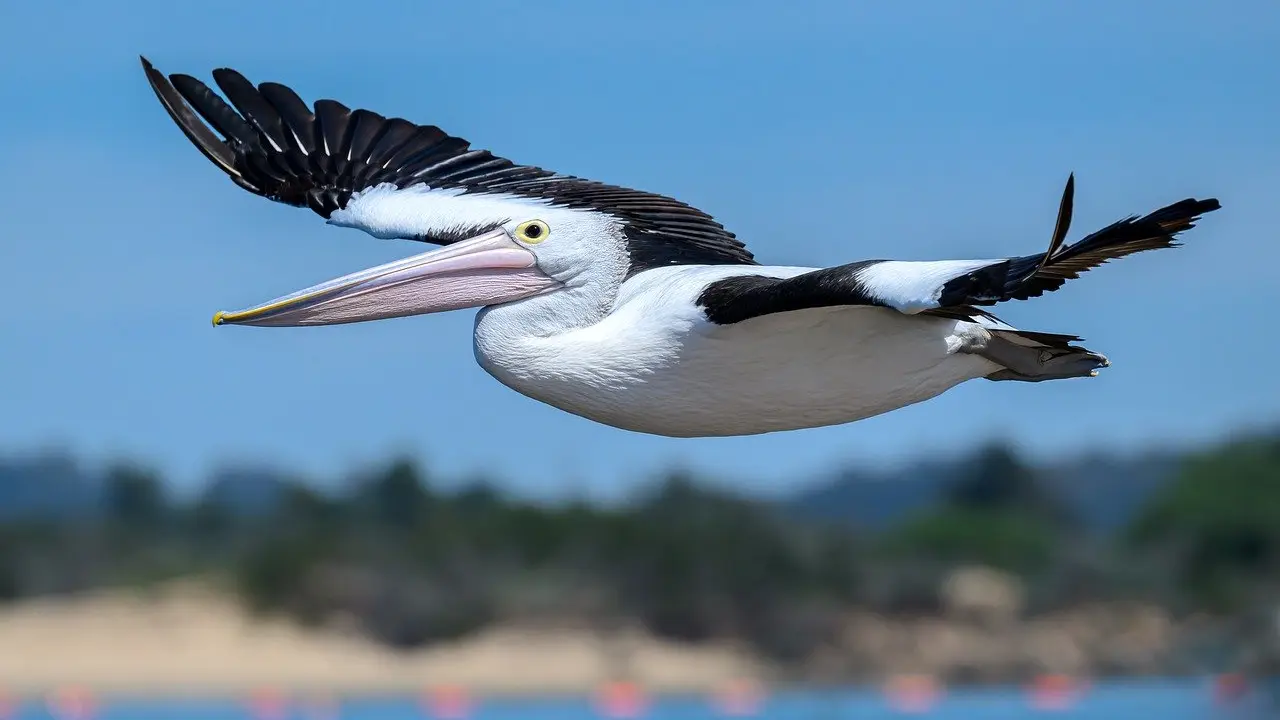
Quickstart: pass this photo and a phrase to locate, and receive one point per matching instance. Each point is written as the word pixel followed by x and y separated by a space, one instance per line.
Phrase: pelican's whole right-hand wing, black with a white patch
pixel 953 289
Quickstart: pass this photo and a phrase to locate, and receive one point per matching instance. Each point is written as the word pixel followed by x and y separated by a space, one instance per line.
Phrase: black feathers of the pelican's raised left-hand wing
pixel 272 144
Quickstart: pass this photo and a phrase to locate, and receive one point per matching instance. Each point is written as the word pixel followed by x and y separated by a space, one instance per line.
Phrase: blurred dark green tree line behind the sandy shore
pixel 412 564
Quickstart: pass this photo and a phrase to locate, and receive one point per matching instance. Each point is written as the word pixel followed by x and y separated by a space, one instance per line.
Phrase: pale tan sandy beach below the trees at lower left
pixel 193 641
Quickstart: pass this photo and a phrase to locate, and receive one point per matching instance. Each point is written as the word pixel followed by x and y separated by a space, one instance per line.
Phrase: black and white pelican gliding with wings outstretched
pixel 624 307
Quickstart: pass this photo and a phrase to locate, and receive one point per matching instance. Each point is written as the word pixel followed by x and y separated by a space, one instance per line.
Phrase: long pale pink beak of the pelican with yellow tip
pixel 487 270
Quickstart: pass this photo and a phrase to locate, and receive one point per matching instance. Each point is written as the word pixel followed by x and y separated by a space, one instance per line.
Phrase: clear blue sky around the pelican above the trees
pixel 820 133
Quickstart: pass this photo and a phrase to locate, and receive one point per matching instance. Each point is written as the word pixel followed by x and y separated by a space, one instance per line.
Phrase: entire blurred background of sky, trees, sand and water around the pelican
pixel 359 522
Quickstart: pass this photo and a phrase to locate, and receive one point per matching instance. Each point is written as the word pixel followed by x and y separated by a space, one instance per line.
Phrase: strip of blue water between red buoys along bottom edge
pixel 1186 700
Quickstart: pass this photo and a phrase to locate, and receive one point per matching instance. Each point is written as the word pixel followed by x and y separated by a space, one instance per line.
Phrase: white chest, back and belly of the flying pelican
pixel 656 364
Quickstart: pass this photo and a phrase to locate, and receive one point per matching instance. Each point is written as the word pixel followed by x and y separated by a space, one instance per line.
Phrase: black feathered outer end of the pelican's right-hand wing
pixel 1032 276
